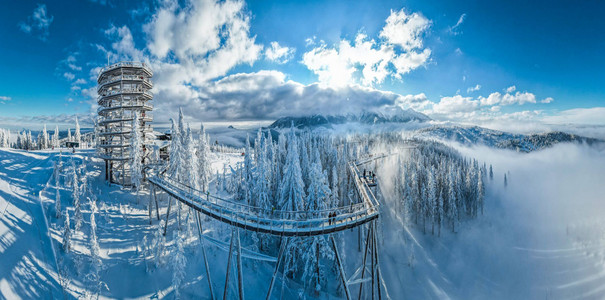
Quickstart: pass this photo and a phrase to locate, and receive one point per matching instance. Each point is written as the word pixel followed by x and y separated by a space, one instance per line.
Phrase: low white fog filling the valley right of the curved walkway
pixel 541 237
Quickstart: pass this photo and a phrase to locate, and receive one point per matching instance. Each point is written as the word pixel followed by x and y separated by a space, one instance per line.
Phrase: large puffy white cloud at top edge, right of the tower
pixel 200 41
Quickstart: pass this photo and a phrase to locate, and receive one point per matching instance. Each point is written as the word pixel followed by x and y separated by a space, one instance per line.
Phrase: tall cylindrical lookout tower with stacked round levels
pixel 123 89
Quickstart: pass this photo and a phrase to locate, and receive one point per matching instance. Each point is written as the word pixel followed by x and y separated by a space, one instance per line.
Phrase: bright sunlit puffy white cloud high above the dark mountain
pixel 367 61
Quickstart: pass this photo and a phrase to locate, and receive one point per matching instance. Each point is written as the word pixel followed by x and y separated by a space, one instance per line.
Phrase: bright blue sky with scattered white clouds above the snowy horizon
pixel 476 62
